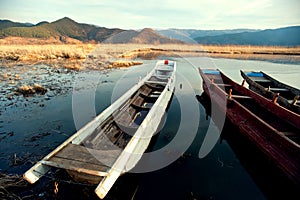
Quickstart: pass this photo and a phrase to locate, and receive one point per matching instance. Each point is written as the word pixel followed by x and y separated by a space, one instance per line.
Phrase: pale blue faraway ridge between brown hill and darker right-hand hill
pixel 189 35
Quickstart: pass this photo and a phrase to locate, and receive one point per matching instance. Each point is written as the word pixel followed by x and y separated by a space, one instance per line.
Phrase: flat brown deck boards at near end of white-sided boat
pixel 87 155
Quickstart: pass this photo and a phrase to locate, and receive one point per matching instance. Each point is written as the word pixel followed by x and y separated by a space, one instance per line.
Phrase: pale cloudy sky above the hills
pixel 158 14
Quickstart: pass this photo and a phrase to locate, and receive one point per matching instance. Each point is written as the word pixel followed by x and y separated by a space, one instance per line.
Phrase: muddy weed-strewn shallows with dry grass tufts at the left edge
pixel 33 80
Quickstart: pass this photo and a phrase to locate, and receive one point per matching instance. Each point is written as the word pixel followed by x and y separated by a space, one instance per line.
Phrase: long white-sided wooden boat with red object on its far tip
pixel 113 142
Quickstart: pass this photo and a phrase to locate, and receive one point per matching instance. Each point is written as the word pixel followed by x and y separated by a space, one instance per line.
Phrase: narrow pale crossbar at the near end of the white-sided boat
pixel 79 167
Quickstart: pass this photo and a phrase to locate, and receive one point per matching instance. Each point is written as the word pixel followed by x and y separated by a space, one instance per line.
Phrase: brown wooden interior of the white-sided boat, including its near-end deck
pixel 98 151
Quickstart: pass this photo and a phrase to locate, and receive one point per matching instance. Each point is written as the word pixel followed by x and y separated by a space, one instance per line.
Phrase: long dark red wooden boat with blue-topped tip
pixel 274 129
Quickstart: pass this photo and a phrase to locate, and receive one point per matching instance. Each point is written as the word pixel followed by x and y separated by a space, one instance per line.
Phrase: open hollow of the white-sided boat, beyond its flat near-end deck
pixel 116 131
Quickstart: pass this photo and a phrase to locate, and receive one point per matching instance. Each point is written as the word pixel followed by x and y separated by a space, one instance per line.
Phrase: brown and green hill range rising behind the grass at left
pixel 65 28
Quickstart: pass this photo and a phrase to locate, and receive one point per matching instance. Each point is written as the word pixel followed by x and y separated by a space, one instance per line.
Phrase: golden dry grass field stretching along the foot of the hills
pixel 80 52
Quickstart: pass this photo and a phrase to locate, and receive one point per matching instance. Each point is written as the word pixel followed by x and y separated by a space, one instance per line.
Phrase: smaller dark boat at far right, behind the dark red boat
pixel 272 89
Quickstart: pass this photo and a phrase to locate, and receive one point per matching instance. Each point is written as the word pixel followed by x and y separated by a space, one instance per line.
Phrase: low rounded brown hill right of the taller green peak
pixel 145 36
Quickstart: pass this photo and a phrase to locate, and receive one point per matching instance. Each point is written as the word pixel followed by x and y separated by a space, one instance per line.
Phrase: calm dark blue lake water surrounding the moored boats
pixel 35 126
